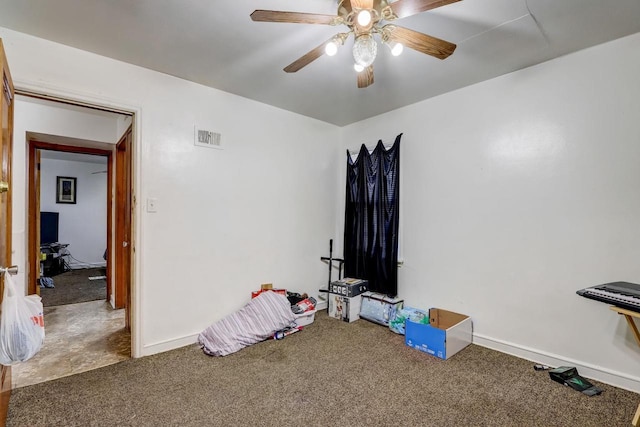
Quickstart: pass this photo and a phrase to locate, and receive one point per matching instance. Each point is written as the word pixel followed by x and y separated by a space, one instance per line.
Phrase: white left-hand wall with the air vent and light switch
pixel 261 210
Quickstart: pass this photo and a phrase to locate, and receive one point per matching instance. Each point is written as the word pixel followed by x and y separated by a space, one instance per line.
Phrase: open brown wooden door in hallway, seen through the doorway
pixel 123 205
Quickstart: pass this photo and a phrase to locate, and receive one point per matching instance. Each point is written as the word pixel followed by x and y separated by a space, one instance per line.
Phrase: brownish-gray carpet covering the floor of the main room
pixel 330 374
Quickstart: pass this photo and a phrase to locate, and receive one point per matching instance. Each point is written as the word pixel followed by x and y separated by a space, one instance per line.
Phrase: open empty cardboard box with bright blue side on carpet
pixel 446 334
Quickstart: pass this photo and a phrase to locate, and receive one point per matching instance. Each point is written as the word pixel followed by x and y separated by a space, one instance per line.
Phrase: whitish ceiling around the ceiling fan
pixel 215 43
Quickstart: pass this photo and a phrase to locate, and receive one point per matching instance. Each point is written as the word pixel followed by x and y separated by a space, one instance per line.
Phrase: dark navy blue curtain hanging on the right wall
pixel 371 217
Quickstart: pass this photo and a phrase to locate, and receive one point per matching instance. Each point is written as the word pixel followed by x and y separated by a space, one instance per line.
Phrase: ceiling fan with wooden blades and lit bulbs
pixel 364 19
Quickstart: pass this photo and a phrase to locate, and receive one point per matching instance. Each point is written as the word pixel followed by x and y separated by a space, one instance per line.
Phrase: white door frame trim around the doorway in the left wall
pixel 44 91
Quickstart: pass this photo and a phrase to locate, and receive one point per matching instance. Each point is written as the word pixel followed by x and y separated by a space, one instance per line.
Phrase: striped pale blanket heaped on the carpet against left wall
pixel 258 320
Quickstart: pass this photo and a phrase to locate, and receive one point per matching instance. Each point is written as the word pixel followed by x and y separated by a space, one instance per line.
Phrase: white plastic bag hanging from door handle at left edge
pixel 21 325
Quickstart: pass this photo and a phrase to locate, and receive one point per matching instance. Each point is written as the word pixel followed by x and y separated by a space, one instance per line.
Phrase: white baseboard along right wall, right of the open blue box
pixel 607 376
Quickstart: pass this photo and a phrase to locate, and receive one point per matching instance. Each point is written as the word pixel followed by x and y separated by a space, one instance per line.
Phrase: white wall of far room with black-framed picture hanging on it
pixel 82 225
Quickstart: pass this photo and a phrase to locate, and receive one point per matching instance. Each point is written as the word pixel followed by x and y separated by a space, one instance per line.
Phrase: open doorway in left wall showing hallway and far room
pixel 81 335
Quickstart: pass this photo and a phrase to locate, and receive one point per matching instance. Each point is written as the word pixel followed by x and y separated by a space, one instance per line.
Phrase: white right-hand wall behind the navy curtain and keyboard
pixel 518 192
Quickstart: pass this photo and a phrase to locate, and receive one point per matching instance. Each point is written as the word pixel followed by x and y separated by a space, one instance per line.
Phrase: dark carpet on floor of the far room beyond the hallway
pixel 74 286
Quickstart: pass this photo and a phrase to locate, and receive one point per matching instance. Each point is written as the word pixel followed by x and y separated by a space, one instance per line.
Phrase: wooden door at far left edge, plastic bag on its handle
pixel 6 141
